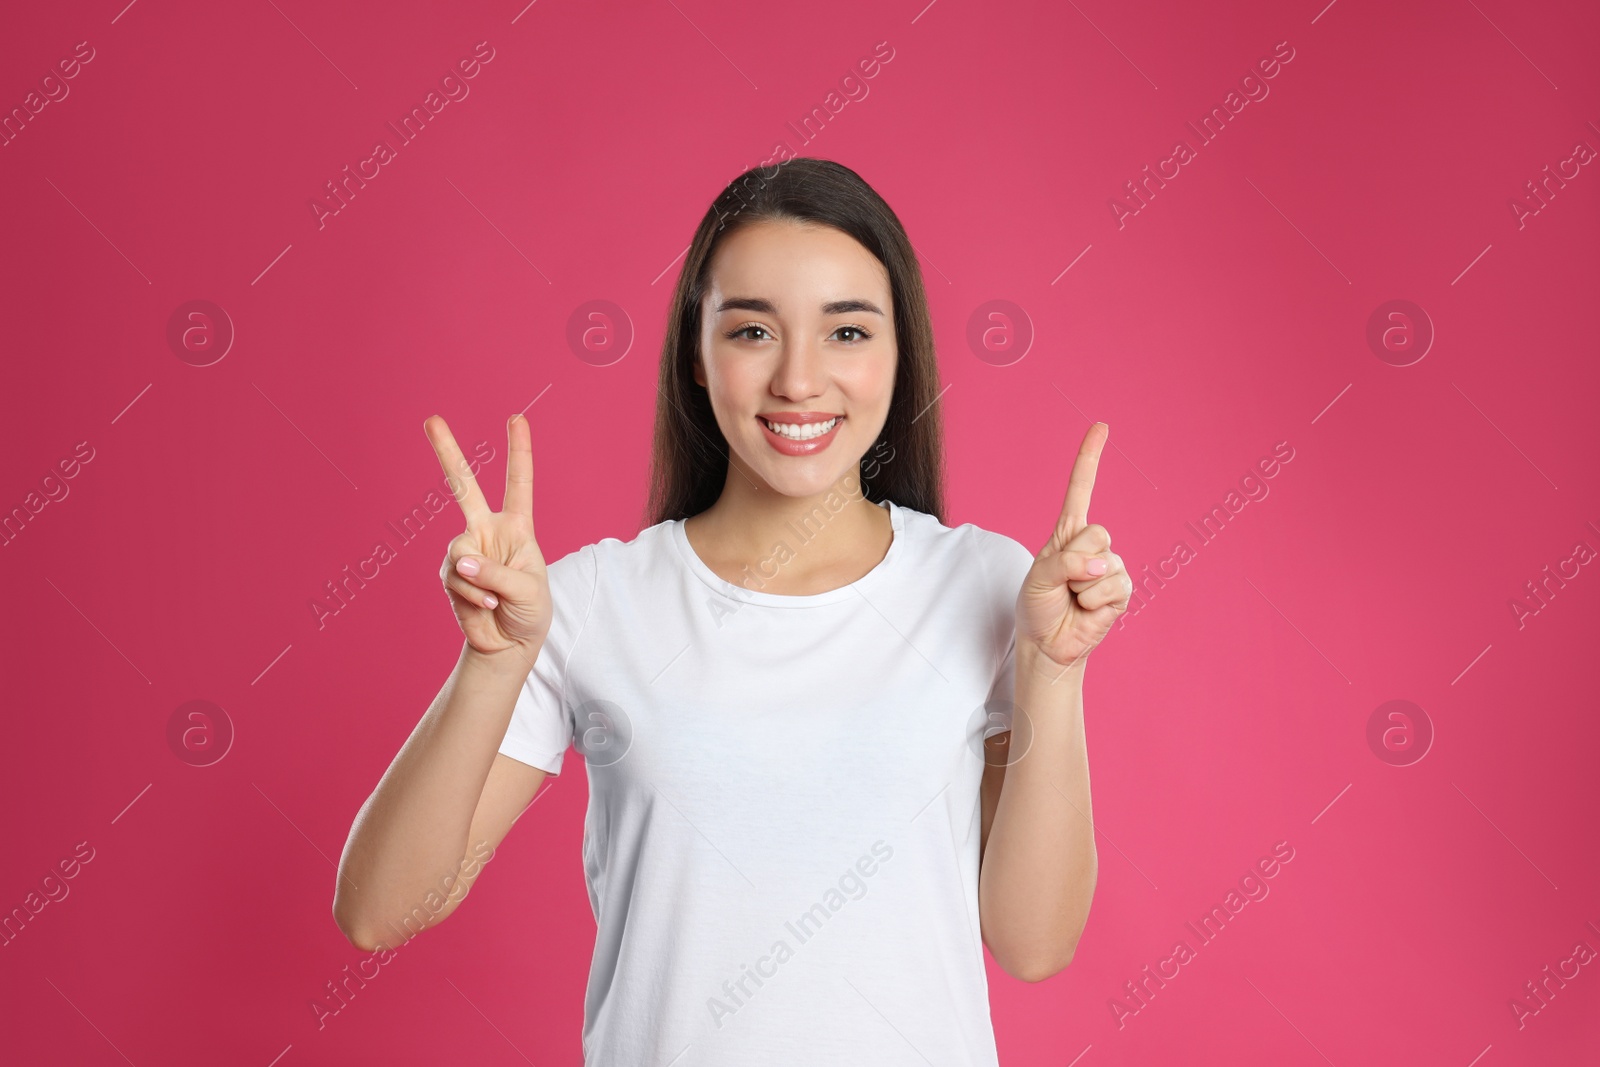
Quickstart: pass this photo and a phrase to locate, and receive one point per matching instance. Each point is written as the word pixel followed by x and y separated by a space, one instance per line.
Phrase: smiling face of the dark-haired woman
pixel 798 329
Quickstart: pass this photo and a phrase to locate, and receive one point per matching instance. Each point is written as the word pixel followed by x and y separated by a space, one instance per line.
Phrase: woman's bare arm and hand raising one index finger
pixel 1039 861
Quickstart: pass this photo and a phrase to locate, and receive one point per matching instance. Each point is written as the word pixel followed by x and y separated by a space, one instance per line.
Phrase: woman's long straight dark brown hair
pixel 690 455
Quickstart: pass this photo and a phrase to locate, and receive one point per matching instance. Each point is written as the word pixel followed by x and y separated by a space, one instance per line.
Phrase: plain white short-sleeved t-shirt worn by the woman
pixel 782 841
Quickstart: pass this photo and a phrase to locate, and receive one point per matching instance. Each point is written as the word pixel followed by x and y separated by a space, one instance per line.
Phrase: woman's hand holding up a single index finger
pixel 1078 585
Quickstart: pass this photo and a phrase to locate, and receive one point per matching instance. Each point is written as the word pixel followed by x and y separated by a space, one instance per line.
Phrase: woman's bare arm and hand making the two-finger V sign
pixel 450 797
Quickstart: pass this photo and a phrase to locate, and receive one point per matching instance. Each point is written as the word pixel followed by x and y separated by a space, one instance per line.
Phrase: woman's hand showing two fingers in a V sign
pixel 494 572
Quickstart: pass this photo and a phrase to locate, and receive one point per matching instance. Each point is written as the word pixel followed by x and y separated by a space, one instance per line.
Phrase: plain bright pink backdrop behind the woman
pixel 1228 714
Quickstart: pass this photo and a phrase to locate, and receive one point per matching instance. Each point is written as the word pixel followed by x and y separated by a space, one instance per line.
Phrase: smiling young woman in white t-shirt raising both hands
pixel 796 692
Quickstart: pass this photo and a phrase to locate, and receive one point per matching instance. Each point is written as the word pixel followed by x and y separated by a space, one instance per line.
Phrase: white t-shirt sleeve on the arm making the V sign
pixel 542 727
